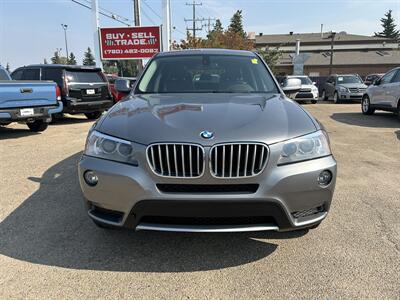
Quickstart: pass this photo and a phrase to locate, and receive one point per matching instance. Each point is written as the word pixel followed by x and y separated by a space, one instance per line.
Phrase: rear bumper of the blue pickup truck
pixel 39 112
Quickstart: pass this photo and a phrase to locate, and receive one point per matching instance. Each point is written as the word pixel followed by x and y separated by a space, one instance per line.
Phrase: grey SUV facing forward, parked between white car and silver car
pixel 346 87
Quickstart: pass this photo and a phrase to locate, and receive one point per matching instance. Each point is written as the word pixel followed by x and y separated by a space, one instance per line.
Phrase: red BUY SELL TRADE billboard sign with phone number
pixel 129 42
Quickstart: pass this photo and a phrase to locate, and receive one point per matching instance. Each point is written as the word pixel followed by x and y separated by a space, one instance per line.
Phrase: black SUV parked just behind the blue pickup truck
pixel 84 89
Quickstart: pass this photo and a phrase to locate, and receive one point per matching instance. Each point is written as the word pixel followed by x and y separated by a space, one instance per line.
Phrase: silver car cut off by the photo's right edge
pixel 384 94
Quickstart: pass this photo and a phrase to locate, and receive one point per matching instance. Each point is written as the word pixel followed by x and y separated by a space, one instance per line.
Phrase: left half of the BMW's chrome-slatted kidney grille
pixel 176 160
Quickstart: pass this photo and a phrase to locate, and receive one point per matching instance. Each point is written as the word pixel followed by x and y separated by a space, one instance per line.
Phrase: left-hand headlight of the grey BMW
pixel 111 148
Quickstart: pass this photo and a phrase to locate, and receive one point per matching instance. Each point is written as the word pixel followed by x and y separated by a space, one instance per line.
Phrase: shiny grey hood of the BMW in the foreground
pixel 154 118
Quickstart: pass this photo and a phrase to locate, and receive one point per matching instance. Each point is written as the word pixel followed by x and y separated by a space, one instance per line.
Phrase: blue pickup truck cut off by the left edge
pixel 32 103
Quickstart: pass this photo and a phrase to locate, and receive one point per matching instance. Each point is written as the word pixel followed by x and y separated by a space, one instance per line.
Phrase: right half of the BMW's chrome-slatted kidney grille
pixel 238 159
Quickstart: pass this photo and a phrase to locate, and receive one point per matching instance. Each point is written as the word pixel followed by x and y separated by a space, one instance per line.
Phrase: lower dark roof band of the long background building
pixel 348 58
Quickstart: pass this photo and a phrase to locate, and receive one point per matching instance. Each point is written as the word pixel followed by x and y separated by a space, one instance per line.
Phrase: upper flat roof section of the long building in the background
pixel 316 38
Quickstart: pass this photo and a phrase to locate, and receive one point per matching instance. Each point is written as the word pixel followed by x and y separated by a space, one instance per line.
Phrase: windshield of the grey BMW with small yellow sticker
pixel 206 74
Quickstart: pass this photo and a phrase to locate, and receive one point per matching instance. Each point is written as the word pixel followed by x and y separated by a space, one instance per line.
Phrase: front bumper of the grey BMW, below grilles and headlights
pixel 128 196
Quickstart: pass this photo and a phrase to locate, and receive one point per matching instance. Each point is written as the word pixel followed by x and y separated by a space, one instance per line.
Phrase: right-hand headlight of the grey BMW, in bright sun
pixel 307 147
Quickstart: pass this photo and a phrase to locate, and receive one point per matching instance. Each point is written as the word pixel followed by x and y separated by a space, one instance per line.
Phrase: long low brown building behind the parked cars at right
pixel 351 53
